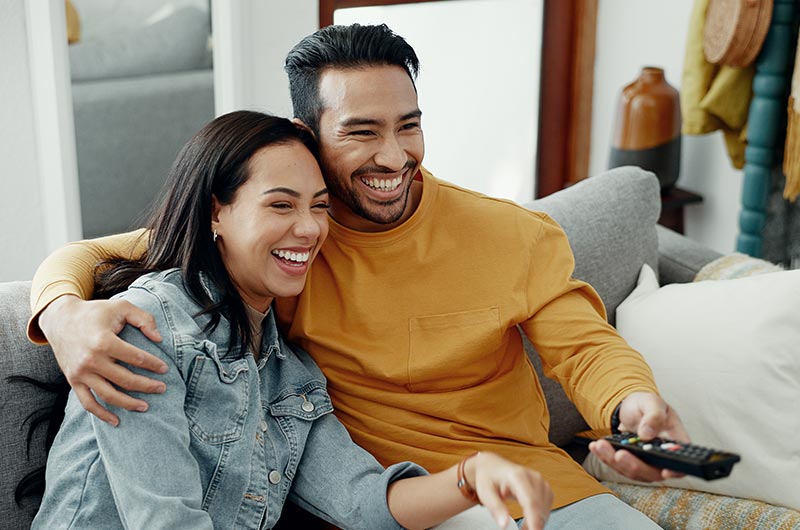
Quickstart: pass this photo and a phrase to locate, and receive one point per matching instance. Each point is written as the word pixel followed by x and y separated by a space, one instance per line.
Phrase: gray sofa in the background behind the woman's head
pixel 142 85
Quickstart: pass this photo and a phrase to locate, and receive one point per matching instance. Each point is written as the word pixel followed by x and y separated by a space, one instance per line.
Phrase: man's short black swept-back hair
pixel 341 47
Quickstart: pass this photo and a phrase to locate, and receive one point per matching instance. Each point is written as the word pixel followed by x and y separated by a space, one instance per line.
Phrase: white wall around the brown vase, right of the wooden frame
pixel 633 34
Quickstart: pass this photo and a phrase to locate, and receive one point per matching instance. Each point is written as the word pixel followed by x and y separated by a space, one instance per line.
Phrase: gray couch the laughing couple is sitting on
pixel 610 220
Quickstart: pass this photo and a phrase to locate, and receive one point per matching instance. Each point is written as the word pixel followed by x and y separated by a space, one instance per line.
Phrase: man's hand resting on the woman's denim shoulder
pixel 83 335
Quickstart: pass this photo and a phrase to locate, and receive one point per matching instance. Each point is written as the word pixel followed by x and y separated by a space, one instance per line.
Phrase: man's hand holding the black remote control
pixel 649 416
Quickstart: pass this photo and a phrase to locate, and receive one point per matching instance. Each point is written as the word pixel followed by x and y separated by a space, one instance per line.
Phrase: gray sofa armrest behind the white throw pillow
pixel 680 258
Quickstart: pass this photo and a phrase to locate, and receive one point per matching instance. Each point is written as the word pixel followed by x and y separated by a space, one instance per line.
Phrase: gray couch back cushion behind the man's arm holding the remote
pixel 609 252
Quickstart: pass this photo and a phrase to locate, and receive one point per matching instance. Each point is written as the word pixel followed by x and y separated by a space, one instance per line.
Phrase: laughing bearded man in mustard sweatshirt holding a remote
pixel 412 307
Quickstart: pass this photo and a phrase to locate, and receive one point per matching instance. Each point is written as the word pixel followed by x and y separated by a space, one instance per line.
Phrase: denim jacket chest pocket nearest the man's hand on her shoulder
pixel 216 396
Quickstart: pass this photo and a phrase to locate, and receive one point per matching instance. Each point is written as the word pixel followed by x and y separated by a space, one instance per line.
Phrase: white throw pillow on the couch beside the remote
pixel 726 356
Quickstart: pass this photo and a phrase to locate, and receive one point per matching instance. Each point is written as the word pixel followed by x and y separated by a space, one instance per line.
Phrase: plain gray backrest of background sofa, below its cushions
pixel 127 134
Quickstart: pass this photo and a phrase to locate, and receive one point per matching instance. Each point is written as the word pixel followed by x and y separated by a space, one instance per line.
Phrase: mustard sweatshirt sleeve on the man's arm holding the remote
pixel 568 326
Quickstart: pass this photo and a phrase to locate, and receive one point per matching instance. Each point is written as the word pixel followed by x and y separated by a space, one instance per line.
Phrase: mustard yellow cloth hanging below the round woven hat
pixel 714 97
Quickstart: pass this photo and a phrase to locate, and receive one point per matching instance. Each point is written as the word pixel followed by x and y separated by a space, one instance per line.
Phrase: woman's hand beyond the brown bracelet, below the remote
pixel 496 479
